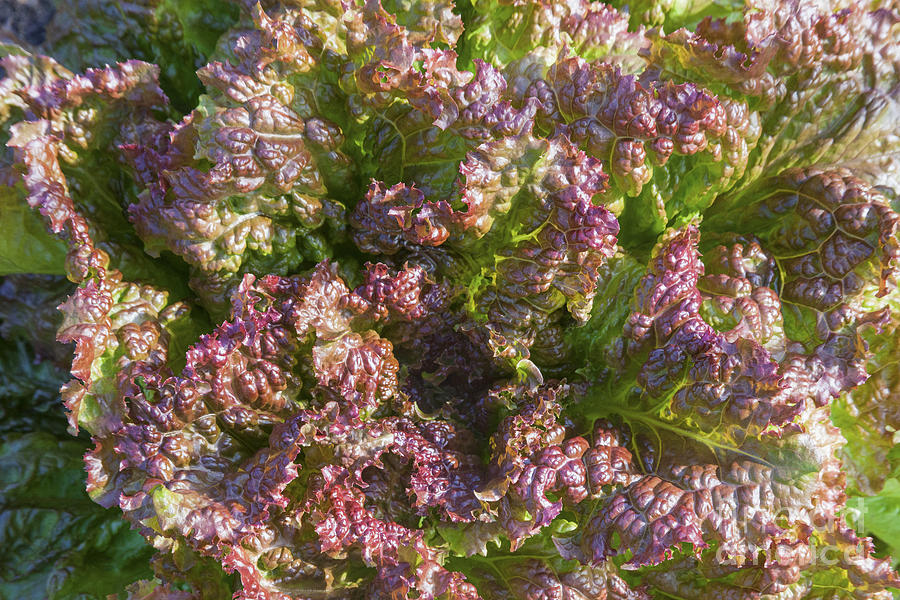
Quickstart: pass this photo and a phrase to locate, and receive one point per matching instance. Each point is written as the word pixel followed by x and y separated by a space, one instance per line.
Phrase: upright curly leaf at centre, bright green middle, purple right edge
pixel 532 208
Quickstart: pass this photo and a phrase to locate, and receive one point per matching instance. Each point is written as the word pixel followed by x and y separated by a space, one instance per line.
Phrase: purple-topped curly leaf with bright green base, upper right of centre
pixel 669 147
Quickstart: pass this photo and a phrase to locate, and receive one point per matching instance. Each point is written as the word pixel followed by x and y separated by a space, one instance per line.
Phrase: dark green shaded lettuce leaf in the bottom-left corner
pixel 58 544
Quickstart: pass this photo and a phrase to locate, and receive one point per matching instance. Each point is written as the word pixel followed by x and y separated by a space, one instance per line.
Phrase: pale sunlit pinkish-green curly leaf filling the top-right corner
pixel 828 97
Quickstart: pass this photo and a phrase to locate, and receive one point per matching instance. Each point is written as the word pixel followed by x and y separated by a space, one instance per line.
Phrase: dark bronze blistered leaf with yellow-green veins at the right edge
pixel 834 241
